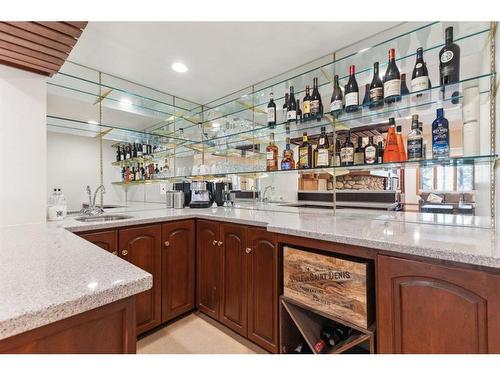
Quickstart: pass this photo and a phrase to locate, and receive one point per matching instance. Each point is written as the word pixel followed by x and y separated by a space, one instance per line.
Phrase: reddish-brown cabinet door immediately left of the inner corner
pixel 178 263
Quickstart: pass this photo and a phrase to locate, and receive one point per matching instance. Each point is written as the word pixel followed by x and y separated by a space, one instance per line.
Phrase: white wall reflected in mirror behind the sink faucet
pixel 73 163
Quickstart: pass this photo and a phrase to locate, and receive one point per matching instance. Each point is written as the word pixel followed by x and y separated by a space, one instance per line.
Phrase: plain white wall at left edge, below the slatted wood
pixel 23 105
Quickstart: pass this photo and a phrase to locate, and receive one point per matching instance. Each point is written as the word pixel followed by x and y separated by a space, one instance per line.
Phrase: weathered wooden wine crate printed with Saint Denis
pixel 338 287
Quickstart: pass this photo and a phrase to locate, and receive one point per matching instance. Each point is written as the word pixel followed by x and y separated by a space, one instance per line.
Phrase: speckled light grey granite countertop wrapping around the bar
pixel 48 273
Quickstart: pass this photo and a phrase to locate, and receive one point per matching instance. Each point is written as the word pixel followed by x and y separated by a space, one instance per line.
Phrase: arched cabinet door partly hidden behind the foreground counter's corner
pixel 141 246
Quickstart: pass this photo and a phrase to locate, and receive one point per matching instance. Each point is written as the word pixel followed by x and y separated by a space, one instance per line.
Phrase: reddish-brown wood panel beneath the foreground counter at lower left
pixel 65 336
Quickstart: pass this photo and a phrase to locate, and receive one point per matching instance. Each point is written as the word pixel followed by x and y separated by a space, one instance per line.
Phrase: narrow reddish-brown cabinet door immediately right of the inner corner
pixel 208 266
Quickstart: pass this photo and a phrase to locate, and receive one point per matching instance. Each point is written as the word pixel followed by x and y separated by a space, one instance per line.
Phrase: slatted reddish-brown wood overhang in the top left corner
pixel 41 47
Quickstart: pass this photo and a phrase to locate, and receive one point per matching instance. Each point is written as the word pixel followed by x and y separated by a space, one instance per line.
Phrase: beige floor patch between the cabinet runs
pixel 196 334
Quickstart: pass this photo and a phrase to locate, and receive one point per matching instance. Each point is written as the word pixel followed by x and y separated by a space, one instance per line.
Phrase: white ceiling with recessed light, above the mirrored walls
pixel 222 57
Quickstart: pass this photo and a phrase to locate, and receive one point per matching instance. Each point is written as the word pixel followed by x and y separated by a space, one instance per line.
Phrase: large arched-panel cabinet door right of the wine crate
pixel 426 308
